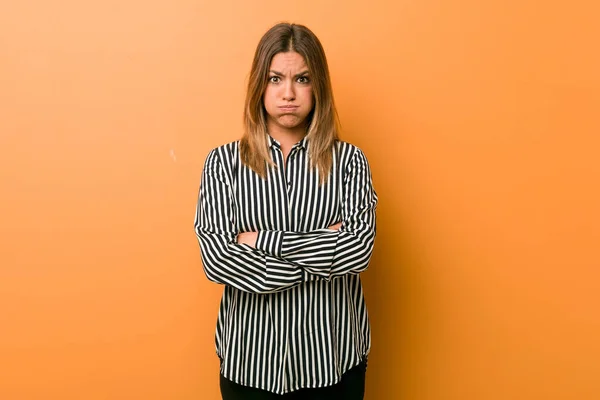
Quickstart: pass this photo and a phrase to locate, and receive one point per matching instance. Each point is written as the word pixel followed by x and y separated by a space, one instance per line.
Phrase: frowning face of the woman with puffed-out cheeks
pixel 288 98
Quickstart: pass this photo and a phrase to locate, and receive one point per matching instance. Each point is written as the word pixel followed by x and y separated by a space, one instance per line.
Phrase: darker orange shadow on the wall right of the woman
pixel 399 296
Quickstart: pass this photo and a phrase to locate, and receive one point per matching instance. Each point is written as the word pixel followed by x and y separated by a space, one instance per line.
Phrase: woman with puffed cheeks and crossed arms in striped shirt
pixel 286 221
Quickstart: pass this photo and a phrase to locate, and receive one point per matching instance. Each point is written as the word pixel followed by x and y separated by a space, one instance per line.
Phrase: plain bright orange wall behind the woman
pixel 480 119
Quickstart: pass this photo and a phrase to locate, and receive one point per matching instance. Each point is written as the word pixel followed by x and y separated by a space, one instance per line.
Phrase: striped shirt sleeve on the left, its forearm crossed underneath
pixel 223 259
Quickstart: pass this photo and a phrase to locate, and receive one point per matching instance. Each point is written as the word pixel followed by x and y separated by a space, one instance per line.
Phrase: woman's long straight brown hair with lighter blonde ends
pixel 323 124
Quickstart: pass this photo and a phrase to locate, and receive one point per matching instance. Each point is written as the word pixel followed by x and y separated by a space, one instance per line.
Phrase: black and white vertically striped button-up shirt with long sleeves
pixel 292 314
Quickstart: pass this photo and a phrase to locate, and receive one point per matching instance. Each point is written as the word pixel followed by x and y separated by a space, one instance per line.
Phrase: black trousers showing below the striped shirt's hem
pixel 351 387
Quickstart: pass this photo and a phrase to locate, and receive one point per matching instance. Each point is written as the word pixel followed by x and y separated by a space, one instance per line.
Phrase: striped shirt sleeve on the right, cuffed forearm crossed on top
pixel 326 253
